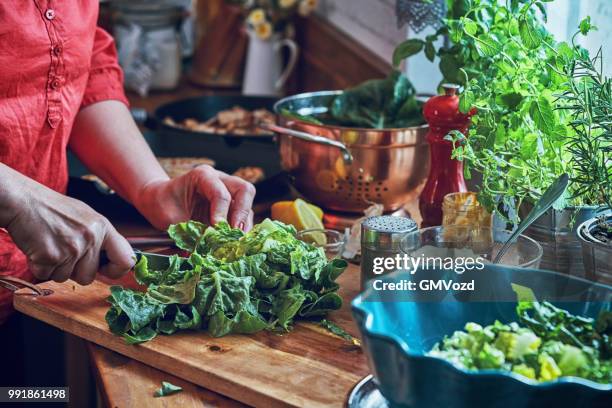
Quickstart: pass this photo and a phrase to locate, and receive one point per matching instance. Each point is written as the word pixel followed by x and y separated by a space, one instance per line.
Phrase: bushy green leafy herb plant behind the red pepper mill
pixel 512 71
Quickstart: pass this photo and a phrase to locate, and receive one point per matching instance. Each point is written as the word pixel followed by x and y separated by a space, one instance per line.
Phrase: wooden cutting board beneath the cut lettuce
pixel 308 367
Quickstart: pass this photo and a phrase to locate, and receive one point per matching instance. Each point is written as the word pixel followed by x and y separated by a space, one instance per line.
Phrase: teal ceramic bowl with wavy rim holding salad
pixel 397 333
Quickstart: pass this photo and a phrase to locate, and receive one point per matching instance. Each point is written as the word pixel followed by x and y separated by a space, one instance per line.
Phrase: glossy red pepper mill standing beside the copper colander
pixel 445 174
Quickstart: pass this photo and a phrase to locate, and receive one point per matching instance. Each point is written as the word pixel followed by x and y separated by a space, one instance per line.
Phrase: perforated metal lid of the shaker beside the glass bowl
pixel 385 231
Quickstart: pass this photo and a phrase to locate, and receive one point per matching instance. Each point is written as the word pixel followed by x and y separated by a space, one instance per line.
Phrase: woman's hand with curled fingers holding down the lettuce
pixel 203 194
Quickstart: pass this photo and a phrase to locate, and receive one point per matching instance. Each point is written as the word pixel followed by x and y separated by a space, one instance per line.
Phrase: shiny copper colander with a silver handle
pixel 349 169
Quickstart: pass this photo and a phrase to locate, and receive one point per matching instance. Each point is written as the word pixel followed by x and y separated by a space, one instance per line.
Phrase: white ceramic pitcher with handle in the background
pixel 264 73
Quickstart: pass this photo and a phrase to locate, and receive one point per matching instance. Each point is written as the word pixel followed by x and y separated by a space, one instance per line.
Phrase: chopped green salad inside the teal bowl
pixel 548 343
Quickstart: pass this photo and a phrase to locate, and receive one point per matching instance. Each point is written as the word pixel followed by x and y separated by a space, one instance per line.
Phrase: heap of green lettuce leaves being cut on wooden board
pixel 232 283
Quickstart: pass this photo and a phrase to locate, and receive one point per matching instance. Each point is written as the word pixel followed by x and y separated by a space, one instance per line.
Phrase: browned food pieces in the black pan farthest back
pixel 237 121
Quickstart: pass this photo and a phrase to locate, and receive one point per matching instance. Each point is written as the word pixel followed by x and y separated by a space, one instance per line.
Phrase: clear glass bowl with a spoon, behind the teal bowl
pixel 472 241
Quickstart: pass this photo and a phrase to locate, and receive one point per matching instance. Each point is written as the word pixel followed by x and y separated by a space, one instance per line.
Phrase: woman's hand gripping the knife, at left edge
pixel 61 237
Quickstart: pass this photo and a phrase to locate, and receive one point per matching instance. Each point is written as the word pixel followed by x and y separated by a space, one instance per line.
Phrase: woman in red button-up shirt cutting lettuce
pixel 61 86
